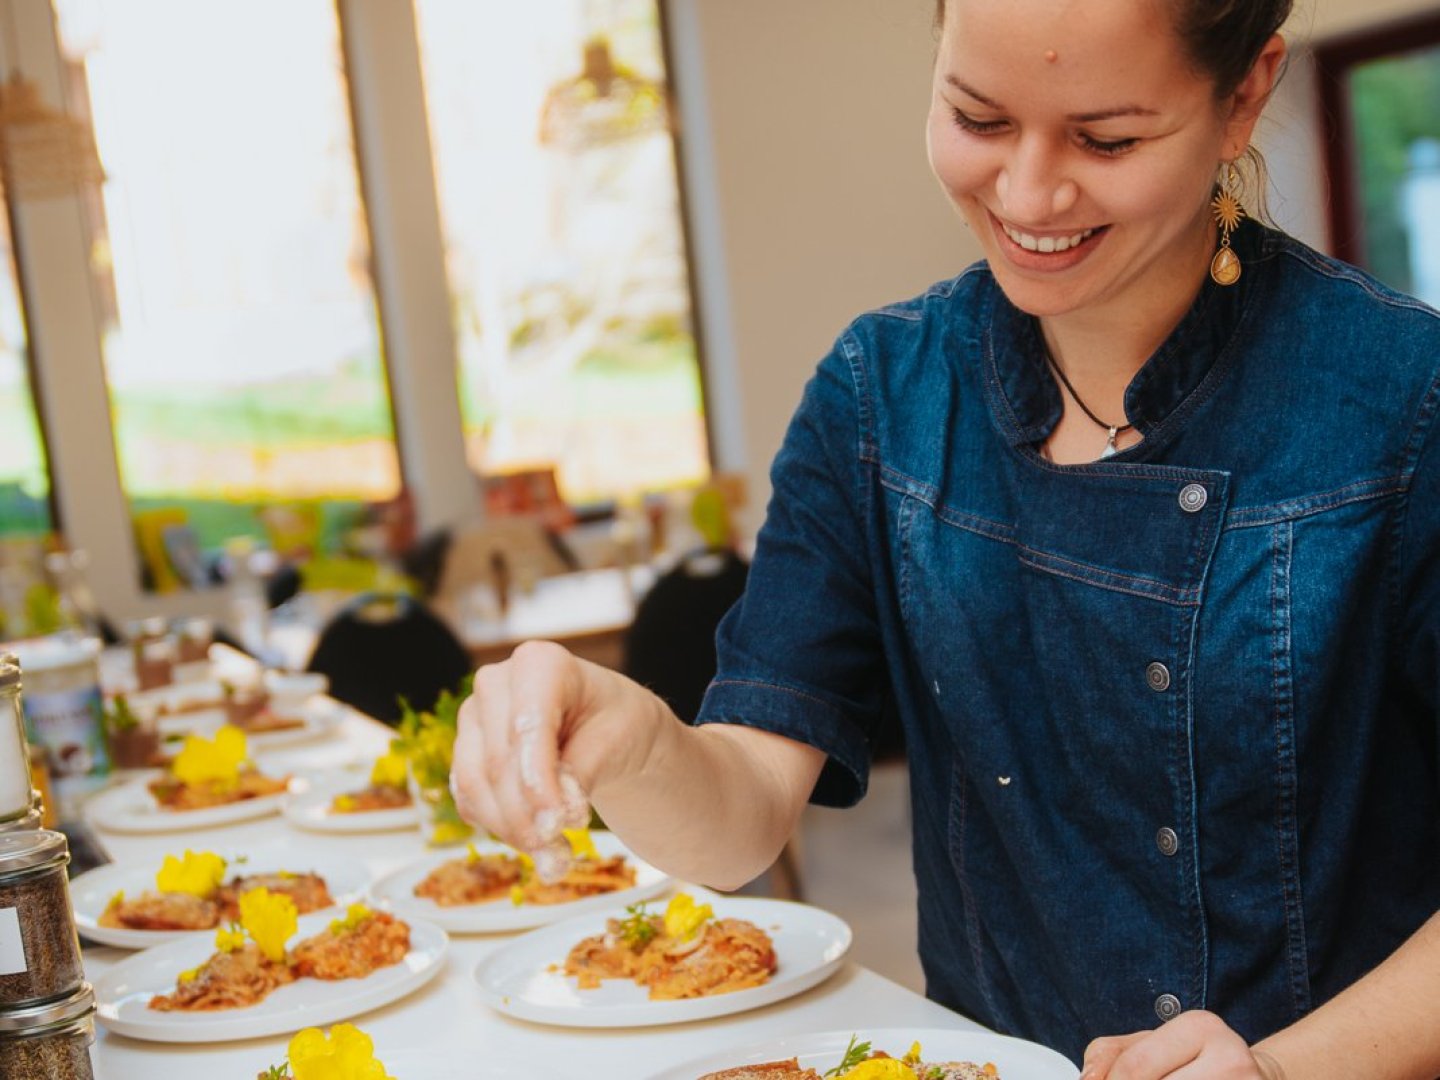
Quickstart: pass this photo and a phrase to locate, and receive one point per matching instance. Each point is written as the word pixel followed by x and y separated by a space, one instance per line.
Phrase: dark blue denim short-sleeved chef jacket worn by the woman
pixel 1171 718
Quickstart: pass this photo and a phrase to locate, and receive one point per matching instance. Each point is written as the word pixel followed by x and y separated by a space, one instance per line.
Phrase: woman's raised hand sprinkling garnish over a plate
pixel 541 732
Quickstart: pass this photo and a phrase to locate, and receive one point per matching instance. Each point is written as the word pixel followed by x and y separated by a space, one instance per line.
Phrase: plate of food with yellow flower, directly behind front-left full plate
pixel 135 908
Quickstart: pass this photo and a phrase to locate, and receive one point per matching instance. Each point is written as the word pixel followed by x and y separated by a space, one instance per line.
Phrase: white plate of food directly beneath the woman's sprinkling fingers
pixel 489 888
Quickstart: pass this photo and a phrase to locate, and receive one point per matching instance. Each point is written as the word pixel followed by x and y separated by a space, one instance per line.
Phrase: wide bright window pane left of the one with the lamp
pixel 244 351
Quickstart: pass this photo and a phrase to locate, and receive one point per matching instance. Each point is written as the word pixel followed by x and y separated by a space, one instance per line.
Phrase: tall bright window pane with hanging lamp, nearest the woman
pixel 565 247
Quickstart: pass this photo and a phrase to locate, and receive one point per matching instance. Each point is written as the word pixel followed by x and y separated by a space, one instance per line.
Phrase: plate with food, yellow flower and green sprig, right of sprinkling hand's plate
pixel 692 961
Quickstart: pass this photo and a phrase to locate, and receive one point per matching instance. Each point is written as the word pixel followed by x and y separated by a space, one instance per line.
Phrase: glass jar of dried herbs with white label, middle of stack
pixel 40 951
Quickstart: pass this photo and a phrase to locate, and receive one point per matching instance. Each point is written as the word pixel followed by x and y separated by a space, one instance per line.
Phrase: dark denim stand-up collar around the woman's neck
pixel 1027 402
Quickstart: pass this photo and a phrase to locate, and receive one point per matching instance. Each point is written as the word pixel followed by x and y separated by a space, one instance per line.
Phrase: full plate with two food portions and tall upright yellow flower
pixel 269 973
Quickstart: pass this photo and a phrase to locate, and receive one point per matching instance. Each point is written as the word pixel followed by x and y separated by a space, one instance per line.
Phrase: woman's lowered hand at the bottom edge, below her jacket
pixel 1194 1046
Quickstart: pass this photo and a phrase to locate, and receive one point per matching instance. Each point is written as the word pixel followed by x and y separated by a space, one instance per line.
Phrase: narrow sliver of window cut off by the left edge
pixel 25 486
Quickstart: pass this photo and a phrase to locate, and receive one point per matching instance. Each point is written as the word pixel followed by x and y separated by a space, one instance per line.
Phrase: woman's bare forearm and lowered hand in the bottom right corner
pixel 1385 1027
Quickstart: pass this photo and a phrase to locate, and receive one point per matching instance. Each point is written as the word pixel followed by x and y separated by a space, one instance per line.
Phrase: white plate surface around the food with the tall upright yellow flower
pixel 123 994
